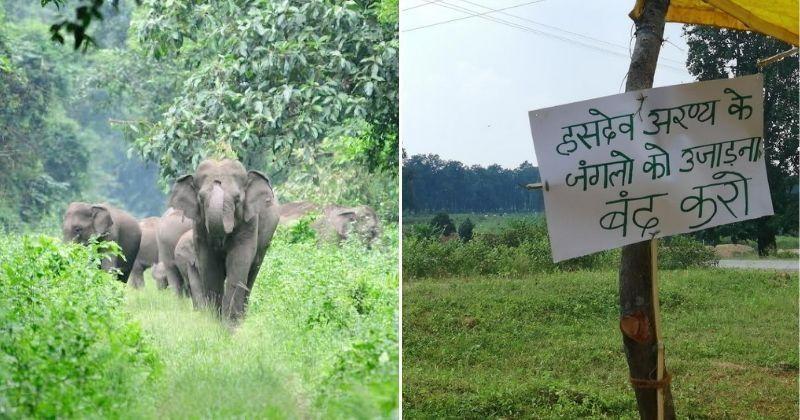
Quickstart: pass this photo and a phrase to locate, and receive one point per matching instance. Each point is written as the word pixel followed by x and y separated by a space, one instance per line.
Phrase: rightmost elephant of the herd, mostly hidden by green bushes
pixel 339 223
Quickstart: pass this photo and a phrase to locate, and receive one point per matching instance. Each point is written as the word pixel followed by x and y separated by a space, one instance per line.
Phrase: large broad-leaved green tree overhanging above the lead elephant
pixel 268 81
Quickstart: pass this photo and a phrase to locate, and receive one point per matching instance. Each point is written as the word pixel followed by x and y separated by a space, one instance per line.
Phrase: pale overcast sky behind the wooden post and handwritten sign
pixel 466 86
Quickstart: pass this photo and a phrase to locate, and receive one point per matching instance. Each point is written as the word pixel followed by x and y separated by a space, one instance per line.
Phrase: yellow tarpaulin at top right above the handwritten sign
pixel 776 18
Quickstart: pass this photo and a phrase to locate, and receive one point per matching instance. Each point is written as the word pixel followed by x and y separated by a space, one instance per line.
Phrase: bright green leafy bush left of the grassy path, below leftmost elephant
pixel 67 348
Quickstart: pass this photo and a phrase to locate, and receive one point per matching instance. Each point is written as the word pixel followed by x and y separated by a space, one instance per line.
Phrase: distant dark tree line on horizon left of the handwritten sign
pixel 432 184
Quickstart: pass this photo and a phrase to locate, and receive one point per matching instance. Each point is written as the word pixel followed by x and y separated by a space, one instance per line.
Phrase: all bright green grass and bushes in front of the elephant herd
pixel 319 339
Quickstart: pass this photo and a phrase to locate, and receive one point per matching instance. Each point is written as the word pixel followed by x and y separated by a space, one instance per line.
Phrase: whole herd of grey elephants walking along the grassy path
pixel 210 242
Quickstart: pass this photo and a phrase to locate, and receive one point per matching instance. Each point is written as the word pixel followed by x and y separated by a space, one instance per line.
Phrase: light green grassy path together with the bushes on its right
pixel 319 339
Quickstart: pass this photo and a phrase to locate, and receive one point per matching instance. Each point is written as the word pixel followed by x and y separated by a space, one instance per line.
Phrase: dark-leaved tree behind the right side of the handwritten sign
pixel 716 53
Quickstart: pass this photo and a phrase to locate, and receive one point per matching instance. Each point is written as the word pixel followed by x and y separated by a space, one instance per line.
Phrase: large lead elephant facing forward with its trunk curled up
pixel 235 214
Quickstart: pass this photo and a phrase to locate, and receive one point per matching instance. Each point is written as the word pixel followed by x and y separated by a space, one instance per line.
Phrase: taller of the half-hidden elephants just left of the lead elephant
pixel 171 226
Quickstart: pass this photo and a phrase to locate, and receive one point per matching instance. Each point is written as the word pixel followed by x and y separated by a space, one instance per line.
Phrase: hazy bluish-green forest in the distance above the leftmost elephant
pixel 56 142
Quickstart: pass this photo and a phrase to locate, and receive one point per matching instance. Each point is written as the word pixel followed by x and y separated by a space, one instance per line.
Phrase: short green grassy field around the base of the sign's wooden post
pixel 549 346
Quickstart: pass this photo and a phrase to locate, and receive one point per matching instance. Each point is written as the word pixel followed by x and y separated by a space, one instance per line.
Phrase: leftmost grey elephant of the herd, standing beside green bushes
pixel 83 221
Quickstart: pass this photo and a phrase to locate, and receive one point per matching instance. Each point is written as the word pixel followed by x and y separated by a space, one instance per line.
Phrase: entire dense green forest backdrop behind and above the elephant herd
pixel 304 91
